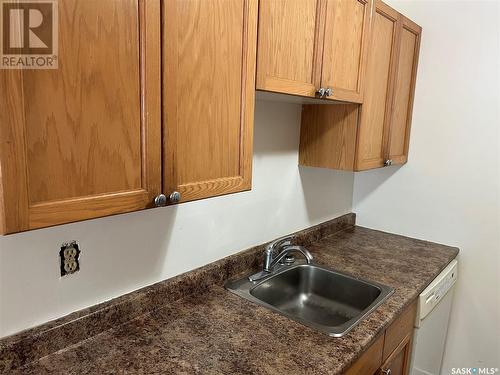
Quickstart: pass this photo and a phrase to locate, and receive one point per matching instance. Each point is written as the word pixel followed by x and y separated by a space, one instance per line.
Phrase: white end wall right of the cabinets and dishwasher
pixel 449 190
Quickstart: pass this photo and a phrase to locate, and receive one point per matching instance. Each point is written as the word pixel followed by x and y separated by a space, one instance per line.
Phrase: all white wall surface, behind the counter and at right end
pixel 448 192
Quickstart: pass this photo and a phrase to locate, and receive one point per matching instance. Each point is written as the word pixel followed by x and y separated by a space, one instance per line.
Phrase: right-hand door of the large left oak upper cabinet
pixel 208 96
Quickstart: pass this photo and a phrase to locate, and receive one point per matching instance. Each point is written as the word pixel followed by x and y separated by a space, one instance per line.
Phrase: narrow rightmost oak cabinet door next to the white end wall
pixel 404 90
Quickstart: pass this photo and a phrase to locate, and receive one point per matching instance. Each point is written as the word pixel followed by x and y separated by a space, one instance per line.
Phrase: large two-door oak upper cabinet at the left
pixel 118 123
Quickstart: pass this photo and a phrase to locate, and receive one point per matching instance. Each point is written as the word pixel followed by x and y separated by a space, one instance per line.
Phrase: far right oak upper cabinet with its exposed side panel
pixel 379 134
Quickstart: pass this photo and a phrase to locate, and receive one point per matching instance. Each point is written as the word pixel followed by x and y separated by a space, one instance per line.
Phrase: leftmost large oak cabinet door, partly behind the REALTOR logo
pixel 83 140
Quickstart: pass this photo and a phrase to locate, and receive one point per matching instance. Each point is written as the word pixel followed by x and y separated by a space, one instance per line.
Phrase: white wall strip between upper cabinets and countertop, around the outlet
pixel 126 252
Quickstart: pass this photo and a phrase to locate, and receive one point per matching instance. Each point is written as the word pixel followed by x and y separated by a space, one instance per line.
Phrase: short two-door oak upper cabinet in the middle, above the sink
pixel 308 45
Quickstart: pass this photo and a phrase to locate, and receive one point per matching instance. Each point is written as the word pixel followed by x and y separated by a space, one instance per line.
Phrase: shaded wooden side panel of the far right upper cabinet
pixel 328 136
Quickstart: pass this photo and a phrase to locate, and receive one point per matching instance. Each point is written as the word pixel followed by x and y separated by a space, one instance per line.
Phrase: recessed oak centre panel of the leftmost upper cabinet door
pixel 76 141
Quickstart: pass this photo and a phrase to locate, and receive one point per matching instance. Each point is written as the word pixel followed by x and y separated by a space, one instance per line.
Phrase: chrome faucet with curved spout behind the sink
pixel 285 250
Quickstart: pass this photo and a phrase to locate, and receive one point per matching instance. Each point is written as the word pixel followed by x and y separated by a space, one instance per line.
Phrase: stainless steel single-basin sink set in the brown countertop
pixel 329 301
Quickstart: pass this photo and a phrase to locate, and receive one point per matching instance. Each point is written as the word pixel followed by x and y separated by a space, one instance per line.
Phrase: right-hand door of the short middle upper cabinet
pixel 345 46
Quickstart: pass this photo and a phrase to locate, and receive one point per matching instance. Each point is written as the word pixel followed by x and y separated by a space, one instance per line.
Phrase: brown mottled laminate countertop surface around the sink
pixel 216 332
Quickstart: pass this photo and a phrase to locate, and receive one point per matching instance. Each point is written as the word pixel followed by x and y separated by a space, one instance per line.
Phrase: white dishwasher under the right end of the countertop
pixel 431 324
